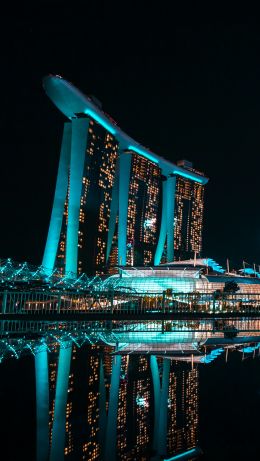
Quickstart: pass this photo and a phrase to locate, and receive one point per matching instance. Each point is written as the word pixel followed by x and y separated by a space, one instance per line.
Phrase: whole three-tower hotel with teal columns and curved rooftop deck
pixel 116 203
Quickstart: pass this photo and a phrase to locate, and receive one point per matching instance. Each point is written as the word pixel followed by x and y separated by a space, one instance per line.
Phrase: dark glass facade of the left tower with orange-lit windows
pixel 95 202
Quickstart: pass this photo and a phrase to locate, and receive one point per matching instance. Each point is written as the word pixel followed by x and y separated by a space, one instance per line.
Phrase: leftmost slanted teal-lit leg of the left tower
pixel 52 243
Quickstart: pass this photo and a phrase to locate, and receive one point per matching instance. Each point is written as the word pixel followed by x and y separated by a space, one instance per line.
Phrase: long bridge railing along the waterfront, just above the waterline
pixel 17 302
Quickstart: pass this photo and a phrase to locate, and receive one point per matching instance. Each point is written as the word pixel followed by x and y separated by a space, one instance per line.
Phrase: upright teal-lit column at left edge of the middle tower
pixel 124 179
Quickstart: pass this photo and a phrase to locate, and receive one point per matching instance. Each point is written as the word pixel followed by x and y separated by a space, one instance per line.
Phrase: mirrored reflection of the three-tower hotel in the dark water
pixel 121 407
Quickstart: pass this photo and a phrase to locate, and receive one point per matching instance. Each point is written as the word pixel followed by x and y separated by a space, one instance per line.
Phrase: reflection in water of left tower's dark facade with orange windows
pixel 81 404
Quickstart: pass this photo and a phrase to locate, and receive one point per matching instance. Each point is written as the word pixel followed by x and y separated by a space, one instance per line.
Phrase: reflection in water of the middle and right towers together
pixel 157 411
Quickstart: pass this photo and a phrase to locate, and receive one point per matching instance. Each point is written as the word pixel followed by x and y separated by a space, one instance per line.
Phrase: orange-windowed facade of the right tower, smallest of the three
pixel 189 206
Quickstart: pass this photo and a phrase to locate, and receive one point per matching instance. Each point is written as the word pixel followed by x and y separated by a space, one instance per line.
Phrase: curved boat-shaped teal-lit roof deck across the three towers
pixel 71 102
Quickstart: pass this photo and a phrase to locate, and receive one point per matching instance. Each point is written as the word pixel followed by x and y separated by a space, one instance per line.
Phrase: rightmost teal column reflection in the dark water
pixel 162 439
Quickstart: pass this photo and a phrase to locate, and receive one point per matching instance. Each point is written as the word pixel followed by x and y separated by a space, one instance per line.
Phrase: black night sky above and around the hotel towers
pixel 185 84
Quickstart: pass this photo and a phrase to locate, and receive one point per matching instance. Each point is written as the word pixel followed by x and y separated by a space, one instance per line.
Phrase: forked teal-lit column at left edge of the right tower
pixel 167 221
